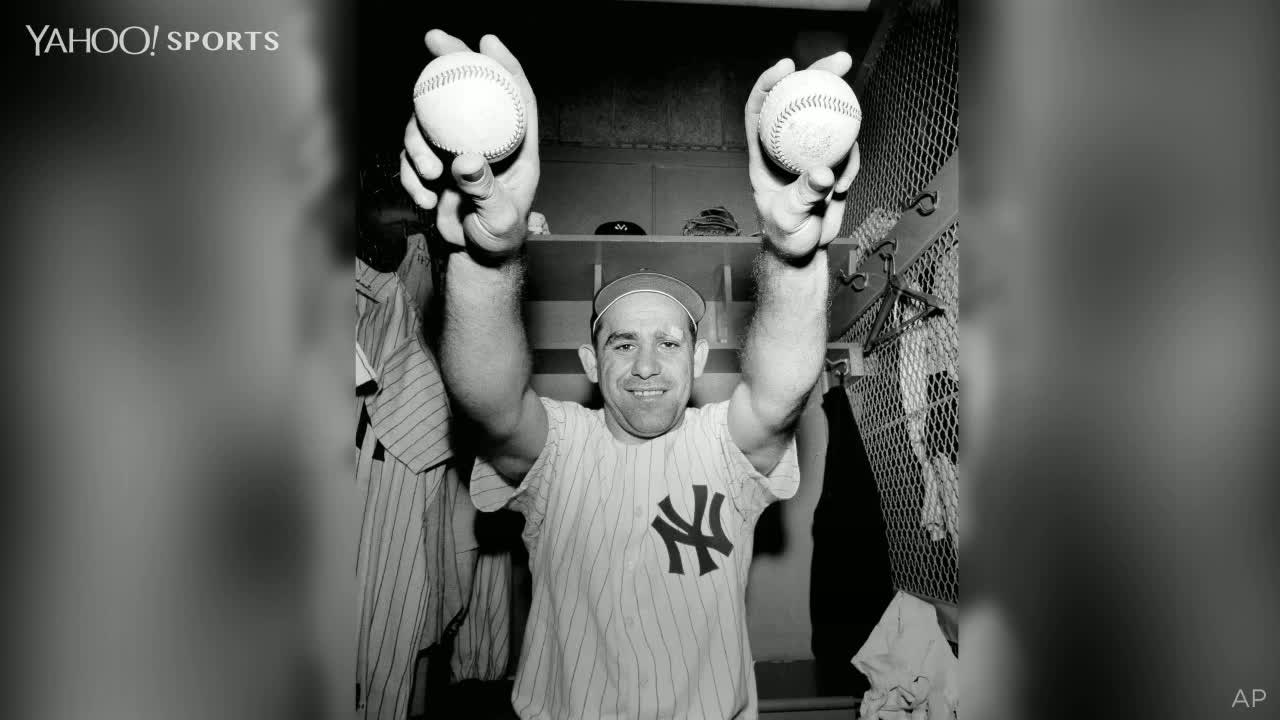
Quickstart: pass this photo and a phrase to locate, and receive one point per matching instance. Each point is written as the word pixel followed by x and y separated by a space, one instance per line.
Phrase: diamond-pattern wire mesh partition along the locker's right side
pixel 907 404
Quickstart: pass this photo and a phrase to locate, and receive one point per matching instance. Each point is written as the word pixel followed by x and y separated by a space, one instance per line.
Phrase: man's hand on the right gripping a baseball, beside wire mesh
pixel 804 213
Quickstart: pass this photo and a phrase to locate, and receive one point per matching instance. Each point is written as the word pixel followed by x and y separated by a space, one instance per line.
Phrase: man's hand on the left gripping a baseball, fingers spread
pixel 487 213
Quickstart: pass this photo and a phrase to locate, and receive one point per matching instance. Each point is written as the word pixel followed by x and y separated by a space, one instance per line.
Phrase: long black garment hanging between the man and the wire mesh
pixel 852 581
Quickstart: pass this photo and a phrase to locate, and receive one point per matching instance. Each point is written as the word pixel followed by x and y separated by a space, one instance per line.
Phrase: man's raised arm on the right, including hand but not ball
pixel 788 338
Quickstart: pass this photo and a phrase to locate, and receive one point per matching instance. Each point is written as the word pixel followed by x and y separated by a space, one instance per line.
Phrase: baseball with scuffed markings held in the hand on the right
pixel 811 119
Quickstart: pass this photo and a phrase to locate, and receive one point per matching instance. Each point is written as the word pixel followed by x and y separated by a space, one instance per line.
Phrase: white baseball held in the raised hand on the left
pixel 469 103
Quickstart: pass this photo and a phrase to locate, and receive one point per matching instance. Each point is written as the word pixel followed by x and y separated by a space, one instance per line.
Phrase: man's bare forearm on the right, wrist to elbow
pixel 788 338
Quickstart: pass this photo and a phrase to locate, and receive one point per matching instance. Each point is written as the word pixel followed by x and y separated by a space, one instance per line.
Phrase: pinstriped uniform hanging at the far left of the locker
pixel 403 448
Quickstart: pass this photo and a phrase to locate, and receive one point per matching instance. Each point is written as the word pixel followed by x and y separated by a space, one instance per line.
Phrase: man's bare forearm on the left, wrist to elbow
pixel 484 353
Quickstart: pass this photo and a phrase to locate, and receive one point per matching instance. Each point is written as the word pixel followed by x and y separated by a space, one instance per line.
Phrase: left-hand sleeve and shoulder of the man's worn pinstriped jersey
pixel 491 491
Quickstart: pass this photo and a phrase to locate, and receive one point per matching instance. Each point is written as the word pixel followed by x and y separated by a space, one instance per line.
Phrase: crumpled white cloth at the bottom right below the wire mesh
pixel 909 664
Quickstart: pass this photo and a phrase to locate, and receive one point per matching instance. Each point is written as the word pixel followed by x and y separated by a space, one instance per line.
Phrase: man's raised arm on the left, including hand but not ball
pixel 484 354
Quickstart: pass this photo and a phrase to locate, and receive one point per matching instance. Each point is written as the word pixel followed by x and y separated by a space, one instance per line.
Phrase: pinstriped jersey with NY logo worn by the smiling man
pixel 639 558
